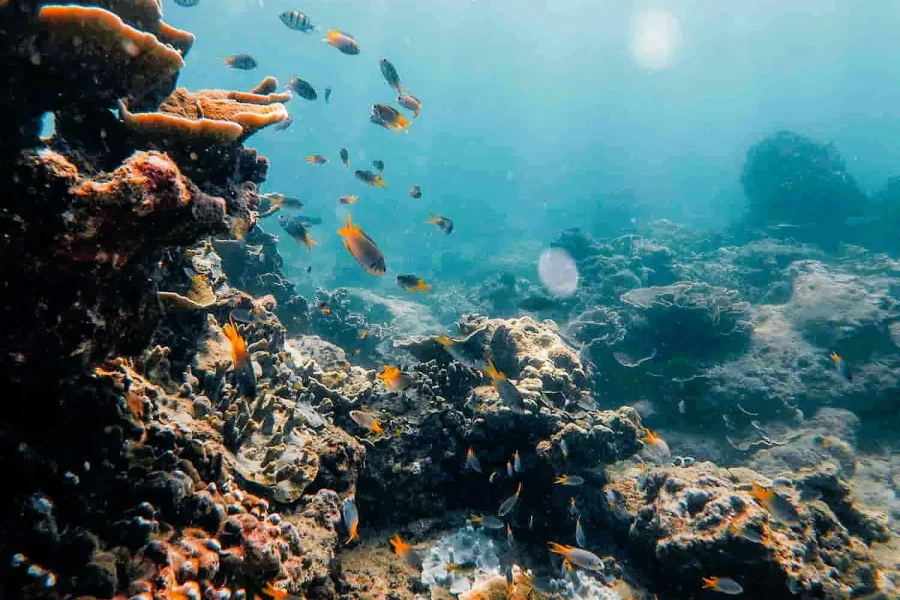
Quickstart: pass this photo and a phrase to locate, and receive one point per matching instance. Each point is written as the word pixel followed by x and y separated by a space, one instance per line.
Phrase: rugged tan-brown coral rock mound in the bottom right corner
pixel 693 522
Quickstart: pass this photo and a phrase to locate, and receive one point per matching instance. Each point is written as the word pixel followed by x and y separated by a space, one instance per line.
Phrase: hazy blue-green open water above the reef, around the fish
pixel 534 110
